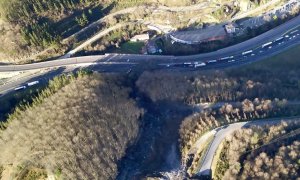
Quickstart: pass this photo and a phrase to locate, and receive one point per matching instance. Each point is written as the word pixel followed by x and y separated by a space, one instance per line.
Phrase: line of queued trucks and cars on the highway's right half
pixel 243 56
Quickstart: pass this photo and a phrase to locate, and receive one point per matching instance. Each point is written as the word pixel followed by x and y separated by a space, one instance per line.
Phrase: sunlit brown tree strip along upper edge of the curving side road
pixel 196 125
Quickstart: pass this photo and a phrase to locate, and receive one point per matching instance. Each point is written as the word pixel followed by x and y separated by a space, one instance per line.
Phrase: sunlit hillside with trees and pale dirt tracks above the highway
pixel 36 30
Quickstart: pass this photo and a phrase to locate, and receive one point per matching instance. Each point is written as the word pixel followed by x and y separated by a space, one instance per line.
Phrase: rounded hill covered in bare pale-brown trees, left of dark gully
pixel 80 132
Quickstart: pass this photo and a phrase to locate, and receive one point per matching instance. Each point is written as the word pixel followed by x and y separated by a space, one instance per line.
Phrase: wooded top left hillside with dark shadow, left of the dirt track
pixel 33 26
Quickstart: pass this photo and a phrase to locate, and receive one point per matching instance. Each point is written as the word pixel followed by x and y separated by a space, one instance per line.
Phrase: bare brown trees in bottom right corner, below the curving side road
pixel 256 143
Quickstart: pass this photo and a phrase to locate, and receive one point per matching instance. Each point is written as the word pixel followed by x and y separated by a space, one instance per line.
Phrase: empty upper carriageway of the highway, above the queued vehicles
pixel 234 51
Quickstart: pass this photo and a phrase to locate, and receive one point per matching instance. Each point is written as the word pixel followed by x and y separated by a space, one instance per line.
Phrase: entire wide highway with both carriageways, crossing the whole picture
pixel 265 45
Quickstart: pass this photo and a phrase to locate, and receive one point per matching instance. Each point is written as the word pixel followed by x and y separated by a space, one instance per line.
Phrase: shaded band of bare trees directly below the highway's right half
pixel 233 85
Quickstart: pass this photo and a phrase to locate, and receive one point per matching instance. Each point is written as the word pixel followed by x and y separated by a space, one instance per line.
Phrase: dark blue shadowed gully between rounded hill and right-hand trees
pixel 159 131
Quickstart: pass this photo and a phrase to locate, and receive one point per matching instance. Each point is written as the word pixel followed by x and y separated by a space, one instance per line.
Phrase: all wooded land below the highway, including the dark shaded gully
pixel 150 115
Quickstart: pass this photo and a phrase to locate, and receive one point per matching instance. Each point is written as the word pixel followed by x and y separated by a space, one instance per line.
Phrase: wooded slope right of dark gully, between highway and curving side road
pixel 267 89
